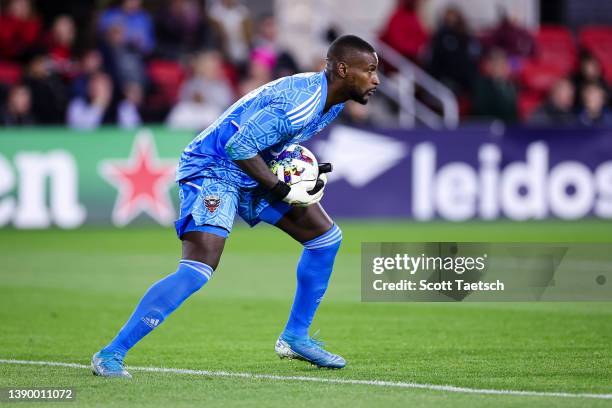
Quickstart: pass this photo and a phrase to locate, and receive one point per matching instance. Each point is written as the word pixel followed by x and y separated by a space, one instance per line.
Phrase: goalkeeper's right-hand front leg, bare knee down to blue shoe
pixel 321 239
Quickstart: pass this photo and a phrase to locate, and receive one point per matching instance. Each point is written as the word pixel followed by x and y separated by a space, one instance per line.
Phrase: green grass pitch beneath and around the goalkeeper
pixel 63 294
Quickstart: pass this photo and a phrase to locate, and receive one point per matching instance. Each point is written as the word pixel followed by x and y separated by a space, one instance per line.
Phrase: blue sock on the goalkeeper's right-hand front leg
pixel 313 272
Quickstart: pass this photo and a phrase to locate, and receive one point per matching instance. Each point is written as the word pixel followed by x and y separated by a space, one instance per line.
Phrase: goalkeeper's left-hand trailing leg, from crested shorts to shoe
pixel 203 243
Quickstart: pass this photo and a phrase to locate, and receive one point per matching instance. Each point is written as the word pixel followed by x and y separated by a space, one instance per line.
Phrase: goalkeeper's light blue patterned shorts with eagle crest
pixel 210 205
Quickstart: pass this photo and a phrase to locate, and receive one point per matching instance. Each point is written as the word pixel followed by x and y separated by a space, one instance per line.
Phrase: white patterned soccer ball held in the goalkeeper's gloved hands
pixel 296 164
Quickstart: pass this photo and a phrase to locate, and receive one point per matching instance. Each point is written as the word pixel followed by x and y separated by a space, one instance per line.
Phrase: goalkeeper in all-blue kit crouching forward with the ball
pixel 223 172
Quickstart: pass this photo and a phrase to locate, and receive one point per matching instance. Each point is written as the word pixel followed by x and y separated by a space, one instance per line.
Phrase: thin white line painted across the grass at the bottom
pixel 375 383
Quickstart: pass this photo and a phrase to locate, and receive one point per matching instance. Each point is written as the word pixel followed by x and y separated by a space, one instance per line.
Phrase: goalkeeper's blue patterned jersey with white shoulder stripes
pixel 265 121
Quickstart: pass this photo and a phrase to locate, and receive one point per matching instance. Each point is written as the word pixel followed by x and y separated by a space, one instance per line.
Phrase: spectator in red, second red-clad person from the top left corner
pixel 59 45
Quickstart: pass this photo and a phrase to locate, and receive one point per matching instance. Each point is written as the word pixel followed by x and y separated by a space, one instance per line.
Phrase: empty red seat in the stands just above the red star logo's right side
pixel 166 79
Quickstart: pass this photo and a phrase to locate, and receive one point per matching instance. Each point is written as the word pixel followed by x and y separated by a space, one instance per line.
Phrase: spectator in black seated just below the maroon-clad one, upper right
pixel 495 94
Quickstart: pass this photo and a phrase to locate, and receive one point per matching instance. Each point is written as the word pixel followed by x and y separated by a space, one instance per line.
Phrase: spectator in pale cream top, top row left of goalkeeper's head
pixel 235 22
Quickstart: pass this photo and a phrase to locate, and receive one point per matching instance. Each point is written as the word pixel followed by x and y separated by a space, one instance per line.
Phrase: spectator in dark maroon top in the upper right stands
pixel 510 37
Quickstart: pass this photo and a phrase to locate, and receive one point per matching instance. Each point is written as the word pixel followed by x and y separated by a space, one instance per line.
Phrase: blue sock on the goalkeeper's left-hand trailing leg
pixel 158 302
